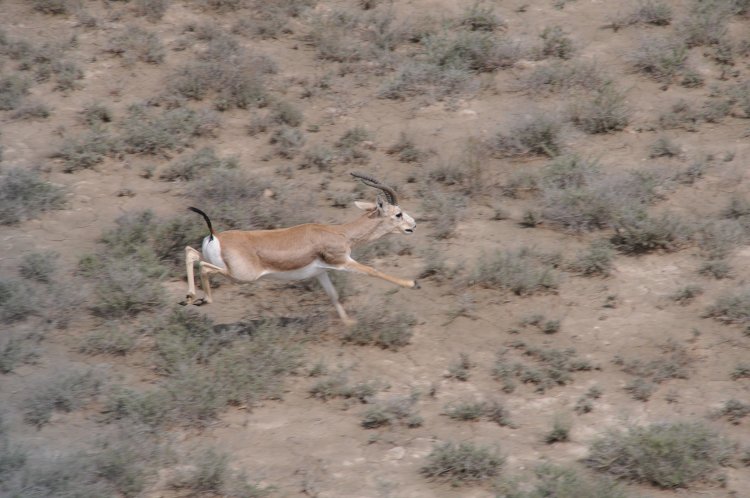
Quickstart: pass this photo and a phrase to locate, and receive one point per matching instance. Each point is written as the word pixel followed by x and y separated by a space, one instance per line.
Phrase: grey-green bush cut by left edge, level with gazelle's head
pixel 24 195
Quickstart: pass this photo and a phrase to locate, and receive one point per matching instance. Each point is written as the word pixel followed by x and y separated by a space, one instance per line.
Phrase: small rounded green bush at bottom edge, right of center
pixel 463 463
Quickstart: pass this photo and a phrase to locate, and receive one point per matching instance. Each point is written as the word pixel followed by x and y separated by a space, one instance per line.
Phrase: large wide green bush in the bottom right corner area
pixel 668 454
